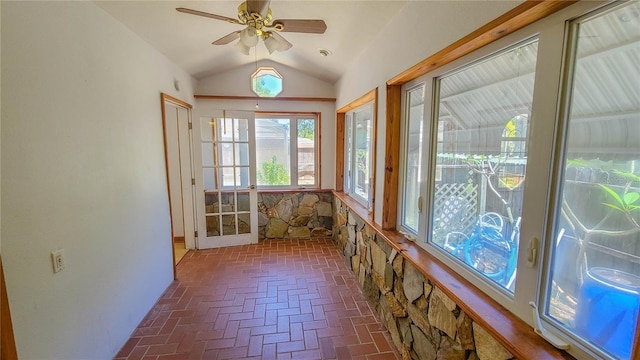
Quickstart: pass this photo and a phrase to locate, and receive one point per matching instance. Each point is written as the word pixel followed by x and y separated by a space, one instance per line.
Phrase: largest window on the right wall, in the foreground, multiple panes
pixel 530 146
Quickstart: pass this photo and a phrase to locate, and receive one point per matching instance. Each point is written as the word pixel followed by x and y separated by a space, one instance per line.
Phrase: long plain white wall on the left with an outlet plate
pixel 83 170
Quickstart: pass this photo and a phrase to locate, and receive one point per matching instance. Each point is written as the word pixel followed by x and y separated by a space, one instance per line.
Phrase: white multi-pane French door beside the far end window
pixel 226 196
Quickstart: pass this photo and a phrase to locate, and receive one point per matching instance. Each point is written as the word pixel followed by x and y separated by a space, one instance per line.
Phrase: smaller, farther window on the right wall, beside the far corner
pixel 359 150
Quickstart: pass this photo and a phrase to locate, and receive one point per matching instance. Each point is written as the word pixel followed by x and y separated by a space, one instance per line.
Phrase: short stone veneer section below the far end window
pixel 301 214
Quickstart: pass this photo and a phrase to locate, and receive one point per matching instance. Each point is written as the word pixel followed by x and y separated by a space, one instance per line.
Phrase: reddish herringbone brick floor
pixel 279 299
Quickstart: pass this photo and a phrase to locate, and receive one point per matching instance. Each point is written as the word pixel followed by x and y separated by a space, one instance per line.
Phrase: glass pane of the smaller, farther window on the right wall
pixel 362 140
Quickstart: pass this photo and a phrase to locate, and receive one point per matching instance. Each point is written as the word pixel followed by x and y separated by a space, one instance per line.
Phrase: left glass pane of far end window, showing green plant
pixel 273 151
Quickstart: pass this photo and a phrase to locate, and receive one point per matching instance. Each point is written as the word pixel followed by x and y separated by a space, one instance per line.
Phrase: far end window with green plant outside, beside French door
pixel 286 150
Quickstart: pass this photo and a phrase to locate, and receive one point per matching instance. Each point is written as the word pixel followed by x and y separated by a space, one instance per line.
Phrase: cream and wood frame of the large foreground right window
pixel 552 36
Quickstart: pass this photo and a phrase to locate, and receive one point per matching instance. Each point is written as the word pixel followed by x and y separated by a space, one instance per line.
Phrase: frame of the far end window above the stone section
pixel 294 117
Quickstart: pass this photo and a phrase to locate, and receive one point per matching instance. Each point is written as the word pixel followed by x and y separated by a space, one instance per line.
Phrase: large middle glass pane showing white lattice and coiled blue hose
pixel 483 113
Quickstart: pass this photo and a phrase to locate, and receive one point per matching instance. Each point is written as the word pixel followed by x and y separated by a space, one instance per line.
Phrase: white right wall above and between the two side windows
pixel 418 30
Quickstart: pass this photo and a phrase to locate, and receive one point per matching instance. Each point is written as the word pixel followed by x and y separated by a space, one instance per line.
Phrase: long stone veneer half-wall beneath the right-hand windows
pixel 424 323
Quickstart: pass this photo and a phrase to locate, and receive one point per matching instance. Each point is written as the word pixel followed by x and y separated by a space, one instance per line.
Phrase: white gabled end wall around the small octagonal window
pixel 237 82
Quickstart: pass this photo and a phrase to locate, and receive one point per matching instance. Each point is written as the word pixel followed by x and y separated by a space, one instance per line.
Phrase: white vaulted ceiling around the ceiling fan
pixel 186 39
